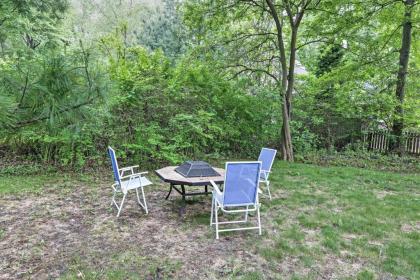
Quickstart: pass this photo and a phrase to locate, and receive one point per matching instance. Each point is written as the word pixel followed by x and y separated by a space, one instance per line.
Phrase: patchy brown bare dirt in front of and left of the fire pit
pixel 56 232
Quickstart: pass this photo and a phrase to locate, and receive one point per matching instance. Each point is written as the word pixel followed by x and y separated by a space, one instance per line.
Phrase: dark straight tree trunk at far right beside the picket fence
pixel 398 124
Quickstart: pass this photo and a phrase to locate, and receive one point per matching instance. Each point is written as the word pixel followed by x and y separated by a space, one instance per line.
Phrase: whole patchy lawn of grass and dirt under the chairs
pixel 323 223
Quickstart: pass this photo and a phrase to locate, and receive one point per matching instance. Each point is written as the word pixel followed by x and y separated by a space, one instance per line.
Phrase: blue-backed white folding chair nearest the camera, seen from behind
pixel 240 195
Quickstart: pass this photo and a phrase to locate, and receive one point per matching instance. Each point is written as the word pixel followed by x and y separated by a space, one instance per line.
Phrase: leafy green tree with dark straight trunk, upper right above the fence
pixel 378 71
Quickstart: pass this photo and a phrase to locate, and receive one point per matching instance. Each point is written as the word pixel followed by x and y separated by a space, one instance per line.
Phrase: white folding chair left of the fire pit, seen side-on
pixel 124 183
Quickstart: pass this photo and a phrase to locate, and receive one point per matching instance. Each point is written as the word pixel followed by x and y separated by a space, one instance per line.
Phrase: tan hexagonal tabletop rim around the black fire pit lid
pixel 169 175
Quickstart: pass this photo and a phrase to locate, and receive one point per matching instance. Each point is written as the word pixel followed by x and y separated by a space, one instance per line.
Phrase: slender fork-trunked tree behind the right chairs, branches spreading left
pixel 258 38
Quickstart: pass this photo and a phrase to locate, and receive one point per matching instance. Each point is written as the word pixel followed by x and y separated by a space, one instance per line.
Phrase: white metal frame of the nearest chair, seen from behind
pixel 215 206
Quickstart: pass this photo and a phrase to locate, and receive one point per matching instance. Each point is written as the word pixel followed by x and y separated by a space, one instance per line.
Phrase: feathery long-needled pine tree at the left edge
pixel 42 77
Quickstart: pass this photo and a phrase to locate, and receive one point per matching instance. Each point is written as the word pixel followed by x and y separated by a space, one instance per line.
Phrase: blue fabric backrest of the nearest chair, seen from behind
pixel 241 183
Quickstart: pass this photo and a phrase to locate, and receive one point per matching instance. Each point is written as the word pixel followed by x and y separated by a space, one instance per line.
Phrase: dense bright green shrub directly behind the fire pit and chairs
pixel 163 113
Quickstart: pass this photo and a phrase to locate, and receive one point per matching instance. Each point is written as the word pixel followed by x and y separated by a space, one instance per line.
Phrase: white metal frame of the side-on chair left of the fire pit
pixel 119 187
